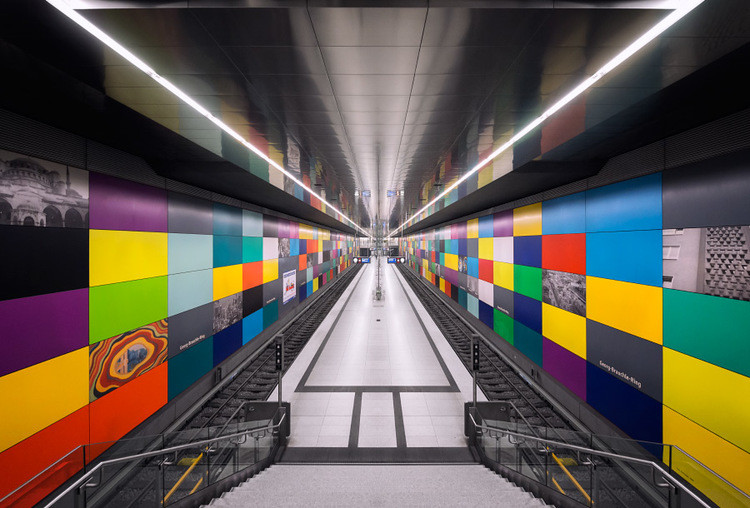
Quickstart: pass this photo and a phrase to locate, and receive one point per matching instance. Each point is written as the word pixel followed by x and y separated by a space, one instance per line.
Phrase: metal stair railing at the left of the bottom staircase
pixel 88 480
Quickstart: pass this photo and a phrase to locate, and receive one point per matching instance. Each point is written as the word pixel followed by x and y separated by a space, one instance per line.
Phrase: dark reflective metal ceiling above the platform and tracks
pixel 403 98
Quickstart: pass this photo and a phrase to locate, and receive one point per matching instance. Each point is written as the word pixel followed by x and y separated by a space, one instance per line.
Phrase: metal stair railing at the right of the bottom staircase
pixel 660 476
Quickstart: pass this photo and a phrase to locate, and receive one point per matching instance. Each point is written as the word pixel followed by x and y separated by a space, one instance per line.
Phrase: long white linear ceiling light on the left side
pixel 65 8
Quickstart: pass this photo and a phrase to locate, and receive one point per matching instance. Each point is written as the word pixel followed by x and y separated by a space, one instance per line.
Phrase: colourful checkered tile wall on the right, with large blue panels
pixel 582 285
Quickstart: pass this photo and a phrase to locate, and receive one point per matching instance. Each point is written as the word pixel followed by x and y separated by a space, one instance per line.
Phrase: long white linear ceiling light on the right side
pixel 685 7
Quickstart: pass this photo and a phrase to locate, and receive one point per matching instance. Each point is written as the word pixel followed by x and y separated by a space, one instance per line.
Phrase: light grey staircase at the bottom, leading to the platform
pixel 377 485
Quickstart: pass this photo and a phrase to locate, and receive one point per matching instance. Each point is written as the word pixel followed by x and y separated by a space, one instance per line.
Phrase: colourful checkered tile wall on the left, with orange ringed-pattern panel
pixel 128 296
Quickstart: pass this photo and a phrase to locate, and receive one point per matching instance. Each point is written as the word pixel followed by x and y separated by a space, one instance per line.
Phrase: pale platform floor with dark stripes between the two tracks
pixel 377 381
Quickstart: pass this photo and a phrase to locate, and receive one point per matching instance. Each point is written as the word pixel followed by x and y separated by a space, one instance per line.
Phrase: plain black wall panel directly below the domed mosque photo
pixel 38 260
